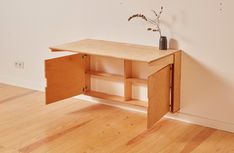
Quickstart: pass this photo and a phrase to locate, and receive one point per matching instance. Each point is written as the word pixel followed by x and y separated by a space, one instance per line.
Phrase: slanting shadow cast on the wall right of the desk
pixel 204 92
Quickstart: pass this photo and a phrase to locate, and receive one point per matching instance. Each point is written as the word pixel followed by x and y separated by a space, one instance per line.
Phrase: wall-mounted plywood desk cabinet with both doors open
pixel 70 76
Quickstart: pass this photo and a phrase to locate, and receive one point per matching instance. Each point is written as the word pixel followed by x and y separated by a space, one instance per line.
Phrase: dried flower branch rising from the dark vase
pixel 155 22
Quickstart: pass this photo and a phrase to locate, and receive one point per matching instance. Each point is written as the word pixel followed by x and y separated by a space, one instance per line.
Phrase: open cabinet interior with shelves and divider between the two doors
pixel 121 74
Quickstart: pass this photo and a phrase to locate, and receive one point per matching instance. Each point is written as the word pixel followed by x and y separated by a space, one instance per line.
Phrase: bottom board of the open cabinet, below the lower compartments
pixel 116 98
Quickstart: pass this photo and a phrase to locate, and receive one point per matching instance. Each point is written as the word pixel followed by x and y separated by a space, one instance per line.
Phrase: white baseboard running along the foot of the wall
pixel 185 117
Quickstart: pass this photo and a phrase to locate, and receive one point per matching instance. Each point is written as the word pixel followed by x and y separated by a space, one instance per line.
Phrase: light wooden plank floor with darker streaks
pixel 27 125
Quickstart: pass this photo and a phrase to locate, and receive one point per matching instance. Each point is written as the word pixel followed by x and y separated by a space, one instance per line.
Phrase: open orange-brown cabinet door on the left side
pixel 65 77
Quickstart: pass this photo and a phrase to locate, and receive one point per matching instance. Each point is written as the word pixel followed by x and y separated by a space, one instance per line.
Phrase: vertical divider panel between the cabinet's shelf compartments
pixel 127 81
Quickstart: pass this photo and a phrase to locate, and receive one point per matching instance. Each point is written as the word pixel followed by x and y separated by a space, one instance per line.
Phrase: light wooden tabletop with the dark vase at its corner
pixel 115 49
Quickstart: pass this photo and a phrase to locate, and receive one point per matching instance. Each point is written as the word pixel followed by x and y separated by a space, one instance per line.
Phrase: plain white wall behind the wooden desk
pixel 203 31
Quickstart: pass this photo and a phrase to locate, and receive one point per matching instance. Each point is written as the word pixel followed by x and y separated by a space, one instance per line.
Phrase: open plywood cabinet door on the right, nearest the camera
pixel 159 95
